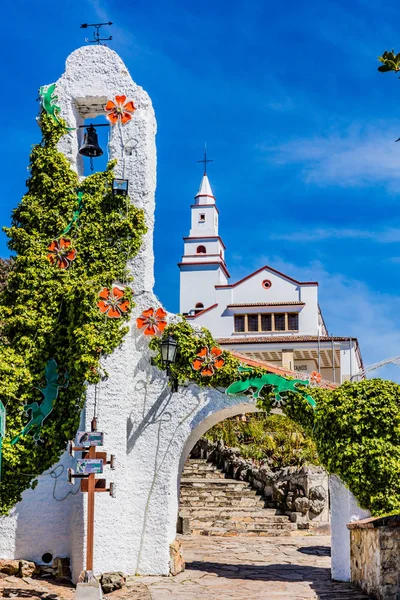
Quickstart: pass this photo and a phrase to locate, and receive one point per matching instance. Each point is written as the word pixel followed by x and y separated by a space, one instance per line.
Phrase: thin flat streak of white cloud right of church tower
pixel 385 236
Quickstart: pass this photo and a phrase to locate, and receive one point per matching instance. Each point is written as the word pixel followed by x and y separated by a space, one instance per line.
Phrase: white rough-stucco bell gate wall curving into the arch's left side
pixel 150 429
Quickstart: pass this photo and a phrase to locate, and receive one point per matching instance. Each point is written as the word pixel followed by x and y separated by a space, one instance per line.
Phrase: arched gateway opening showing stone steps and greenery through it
pixel 246 464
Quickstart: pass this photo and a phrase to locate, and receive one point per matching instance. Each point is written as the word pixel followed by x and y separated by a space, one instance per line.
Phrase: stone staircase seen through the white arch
pixel 211 504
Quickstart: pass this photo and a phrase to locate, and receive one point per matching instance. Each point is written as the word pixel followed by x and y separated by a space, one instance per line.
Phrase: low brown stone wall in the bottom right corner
pixel 375 556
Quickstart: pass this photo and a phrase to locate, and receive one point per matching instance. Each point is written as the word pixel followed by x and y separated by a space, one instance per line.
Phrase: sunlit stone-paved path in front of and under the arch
pixel 220 568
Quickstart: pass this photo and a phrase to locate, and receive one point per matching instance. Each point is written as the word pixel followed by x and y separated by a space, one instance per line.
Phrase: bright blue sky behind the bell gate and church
pixel 300 124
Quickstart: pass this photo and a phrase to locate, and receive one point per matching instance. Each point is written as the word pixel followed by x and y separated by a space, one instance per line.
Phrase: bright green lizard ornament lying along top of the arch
pixel 280 386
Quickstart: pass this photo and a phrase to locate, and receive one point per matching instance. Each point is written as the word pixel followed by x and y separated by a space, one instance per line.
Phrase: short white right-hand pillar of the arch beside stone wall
pixel 344 509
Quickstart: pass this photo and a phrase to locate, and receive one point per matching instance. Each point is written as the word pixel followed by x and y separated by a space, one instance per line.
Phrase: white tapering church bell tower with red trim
pixel 203 262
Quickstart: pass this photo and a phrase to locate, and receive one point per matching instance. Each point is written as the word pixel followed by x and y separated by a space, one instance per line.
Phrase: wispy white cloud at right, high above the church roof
pixel 359 157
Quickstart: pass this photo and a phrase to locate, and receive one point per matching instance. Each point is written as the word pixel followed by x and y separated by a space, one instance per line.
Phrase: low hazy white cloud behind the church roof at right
pixel 350 308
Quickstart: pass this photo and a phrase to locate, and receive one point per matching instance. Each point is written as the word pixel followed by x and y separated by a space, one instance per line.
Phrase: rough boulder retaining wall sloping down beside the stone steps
pixel 301 493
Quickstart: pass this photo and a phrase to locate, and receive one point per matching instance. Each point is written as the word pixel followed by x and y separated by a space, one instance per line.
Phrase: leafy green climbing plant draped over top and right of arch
pixel 356 427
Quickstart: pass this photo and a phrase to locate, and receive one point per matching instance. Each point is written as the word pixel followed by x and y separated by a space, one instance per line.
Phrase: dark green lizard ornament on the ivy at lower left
pixel 39 412
